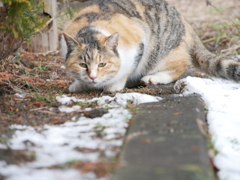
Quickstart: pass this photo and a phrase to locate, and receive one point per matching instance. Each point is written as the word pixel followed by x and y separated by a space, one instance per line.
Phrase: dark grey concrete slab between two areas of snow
pixel 164 143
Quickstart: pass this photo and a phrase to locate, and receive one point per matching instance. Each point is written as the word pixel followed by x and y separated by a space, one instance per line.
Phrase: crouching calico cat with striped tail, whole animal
pixel 111 42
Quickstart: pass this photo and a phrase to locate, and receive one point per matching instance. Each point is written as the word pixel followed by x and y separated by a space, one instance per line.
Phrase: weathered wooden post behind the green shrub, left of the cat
pixel 47 40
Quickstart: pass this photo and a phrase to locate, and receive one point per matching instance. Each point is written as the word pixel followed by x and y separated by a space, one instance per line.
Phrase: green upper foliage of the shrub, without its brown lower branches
pixel 22 18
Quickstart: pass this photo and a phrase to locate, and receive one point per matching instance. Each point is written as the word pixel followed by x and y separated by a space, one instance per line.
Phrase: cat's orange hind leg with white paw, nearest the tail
pixel 170 68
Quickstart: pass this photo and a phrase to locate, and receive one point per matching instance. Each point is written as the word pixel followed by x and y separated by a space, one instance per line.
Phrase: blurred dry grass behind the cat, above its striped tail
pixel 218 26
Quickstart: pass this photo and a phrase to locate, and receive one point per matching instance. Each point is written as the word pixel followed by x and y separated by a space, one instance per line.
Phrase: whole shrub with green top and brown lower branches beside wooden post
pixel 19 20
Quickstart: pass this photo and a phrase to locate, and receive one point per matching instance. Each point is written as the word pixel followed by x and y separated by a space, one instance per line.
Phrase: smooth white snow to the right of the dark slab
pixel 223 101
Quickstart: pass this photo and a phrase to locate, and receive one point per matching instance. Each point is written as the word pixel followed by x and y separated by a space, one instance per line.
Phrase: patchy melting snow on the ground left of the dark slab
pixel 58 144
